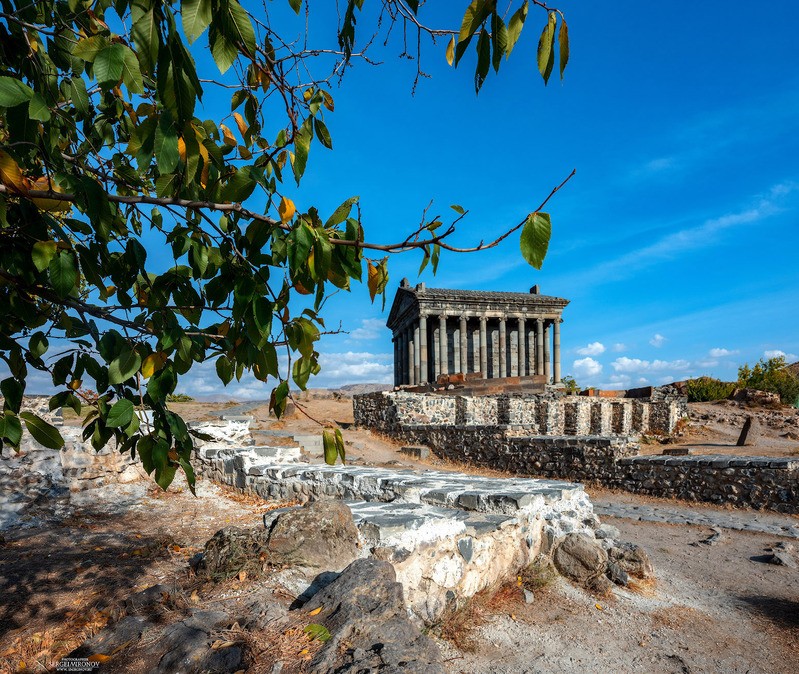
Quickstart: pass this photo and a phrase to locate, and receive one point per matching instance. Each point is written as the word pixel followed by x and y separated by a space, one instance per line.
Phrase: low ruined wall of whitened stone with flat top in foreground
pixel 448 535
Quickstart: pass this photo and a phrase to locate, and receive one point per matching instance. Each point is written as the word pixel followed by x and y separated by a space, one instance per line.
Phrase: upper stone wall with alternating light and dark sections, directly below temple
pixel 544 414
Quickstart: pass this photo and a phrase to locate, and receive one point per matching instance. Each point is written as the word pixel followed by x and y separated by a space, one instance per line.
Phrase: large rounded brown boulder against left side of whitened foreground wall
pixel 320 535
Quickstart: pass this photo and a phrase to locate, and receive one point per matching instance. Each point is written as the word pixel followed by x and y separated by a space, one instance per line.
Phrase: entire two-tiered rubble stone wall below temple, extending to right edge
pixel 579 438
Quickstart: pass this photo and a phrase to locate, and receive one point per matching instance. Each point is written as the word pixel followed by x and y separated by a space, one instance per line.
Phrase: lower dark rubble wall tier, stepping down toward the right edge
pixel 613 461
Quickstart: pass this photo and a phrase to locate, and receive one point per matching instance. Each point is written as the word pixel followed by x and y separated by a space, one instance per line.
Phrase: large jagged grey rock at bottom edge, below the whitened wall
pixel 365 613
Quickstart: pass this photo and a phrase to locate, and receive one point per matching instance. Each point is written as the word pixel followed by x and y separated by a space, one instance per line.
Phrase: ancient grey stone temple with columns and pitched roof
pixel 496 334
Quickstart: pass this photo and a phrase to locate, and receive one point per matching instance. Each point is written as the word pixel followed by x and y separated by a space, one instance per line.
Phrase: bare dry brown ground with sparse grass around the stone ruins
pixel 717 608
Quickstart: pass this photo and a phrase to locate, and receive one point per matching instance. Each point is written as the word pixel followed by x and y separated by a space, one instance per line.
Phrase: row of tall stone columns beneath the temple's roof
pixel 411 356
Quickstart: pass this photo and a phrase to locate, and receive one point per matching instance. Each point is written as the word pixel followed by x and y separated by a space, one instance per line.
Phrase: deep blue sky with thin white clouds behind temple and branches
pixel 675 242
